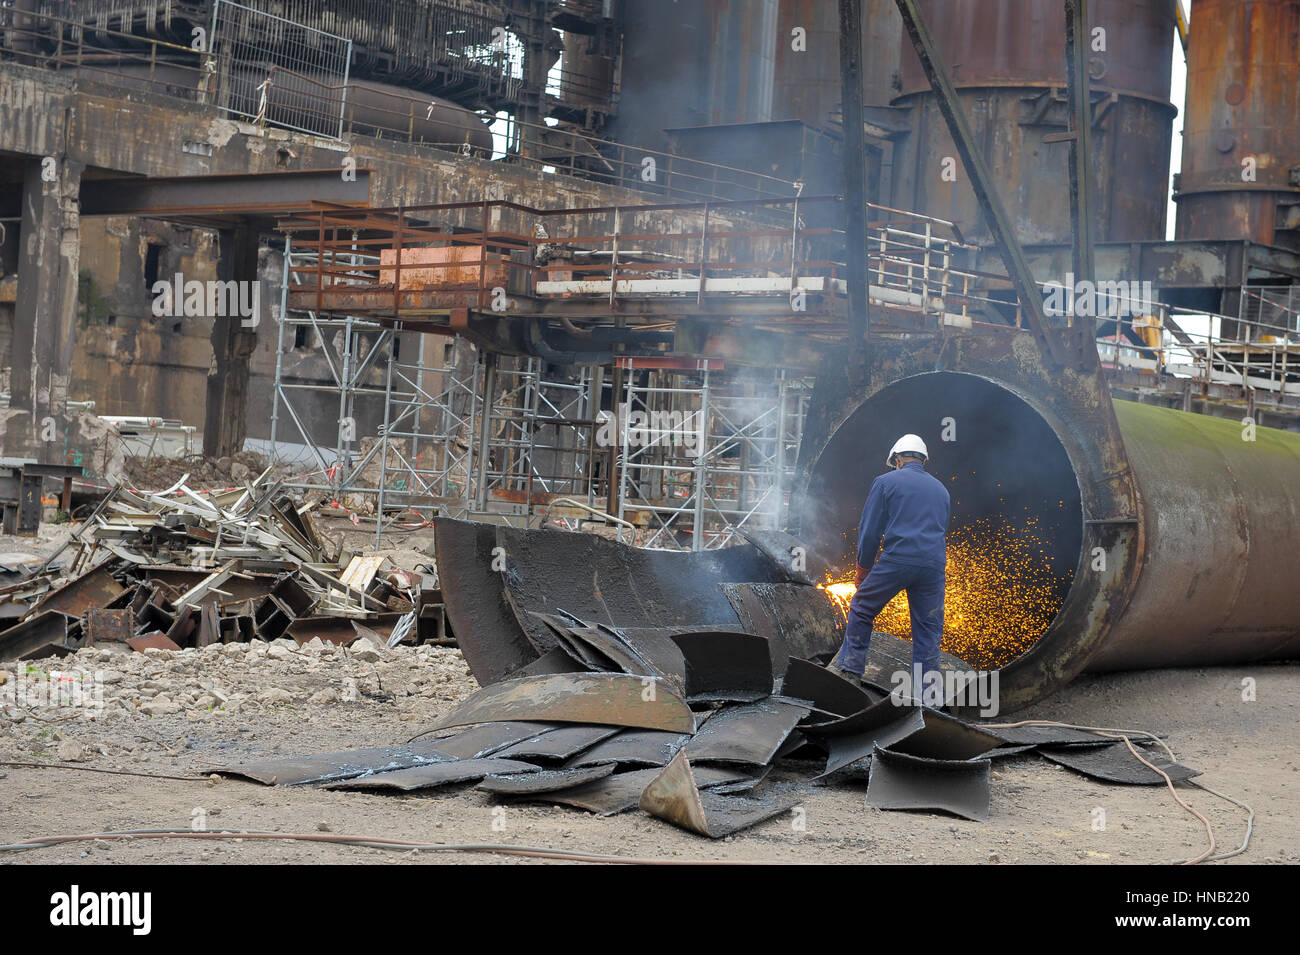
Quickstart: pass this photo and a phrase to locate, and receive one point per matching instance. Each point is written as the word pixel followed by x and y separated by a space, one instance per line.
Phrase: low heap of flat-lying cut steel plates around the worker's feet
pixel 696 728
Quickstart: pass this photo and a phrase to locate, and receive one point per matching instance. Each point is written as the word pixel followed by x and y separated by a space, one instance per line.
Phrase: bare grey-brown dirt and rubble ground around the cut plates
pixel 184 714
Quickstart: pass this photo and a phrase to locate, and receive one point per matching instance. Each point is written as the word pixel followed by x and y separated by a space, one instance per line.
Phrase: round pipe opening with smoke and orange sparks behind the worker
pixel 1017 520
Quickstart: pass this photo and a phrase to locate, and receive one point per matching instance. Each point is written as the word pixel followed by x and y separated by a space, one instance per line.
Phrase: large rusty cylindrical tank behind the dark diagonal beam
pixel 1008 68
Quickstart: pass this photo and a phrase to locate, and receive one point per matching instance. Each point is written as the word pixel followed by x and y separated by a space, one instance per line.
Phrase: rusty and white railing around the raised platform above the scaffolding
pixel 473 254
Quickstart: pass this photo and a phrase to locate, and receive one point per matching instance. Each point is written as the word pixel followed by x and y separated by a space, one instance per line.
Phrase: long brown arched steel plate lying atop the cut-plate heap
pixel 612 700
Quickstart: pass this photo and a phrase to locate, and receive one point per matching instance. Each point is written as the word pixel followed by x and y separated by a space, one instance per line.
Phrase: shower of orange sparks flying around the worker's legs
pixel 1002 594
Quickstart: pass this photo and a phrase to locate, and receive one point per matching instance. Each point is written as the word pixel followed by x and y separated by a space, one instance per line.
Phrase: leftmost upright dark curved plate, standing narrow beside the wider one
pixel 475 600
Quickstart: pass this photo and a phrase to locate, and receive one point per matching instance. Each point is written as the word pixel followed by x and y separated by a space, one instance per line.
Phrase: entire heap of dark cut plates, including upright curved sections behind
pixel 709 727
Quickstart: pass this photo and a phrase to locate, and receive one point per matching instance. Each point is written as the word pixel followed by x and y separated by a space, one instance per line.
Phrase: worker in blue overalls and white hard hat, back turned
pixel 909 509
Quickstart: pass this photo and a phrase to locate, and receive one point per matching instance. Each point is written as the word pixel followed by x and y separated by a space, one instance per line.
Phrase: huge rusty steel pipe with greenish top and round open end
pixel 1216 520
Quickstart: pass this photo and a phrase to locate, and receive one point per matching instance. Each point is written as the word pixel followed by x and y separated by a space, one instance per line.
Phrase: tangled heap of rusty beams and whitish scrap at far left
pixel 179 570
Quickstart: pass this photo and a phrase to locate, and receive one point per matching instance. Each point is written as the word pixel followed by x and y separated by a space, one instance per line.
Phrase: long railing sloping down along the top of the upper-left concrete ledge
pixel 305 99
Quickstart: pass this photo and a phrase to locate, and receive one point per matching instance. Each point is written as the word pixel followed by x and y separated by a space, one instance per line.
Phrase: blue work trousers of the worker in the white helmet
pixel 925 587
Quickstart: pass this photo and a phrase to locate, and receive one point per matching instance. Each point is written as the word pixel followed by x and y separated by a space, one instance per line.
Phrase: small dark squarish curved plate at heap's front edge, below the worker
pixel 900 782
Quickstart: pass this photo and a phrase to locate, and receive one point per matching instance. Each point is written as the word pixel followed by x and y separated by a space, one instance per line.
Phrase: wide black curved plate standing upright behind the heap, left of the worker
pixel 606 583
